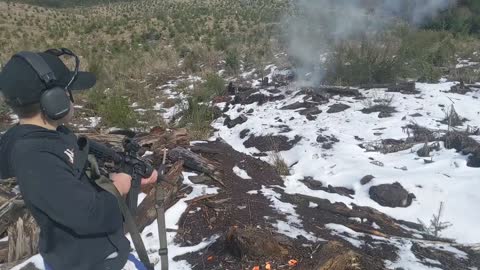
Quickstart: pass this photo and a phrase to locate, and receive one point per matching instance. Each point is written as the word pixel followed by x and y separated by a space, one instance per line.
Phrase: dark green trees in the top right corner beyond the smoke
pixel 465 18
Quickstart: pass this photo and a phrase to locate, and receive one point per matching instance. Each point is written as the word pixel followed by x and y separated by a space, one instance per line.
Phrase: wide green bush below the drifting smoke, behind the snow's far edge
pixel 384 58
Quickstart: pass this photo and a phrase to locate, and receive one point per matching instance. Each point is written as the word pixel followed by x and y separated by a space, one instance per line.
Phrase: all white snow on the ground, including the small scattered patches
pixel 447 179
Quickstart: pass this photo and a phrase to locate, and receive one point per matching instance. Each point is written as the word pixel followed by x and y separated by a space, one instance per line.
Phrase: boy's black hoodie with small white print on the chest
pixel 81 225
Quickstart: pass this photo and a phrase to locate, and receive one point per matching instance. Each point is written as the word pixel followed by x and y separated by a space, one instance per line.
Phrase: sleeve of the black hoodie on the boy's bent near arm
pixel 47 181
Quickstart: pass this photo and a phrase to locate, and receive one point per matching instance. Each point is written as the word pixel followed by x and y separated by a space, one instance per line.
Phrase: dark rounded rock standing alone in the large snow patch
pixel 391 195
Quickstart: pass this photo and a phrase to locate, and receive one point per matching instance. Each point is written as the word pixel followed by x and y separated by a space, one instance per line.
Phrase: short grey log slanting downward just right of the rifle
pixel 196 162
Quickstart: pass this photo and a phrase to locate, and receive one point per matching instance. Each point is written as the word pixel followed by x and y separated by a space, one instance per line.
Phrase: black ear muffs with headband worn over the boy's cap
pixel 54 101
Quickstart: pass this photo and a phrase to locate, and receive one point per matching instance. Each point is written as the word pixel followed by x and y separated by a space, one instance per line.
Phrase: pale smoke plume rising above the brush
pixel 318 24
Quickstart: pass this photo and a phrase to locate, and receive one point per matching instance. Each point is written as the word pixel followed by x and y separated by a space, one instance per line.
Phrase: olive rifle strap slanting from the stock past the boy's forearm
pixel 108 186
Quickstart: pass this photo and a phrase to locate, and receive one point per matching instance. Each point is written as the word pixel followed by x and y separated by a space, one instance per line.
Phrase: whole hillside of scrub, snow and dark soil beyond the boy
pixel 336 136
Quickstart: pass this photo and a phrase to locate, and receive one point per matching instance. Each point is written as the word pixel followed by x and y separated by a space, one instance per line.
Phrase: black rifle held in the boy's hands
pixel 128 162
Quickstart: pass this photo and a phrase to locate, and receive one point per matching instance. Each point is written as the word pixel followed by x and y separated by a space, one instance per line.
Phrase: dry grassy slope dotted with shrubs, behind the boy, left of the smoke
pixel 135 46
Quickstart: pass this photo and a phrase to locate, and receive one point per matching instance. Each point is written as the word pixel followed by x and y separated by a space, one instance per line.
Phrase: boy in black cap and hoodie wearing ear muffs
pixel 81 224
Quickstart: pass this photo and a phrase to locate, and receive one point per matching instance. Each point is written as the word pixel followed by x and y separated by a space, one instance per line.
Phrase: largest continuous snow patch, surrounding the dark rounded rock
pixel 447 179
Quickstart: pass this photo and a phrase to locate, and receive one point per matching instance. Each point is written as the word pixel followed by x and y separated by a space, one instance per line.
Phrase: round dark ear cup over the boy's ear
pixel 55 103
